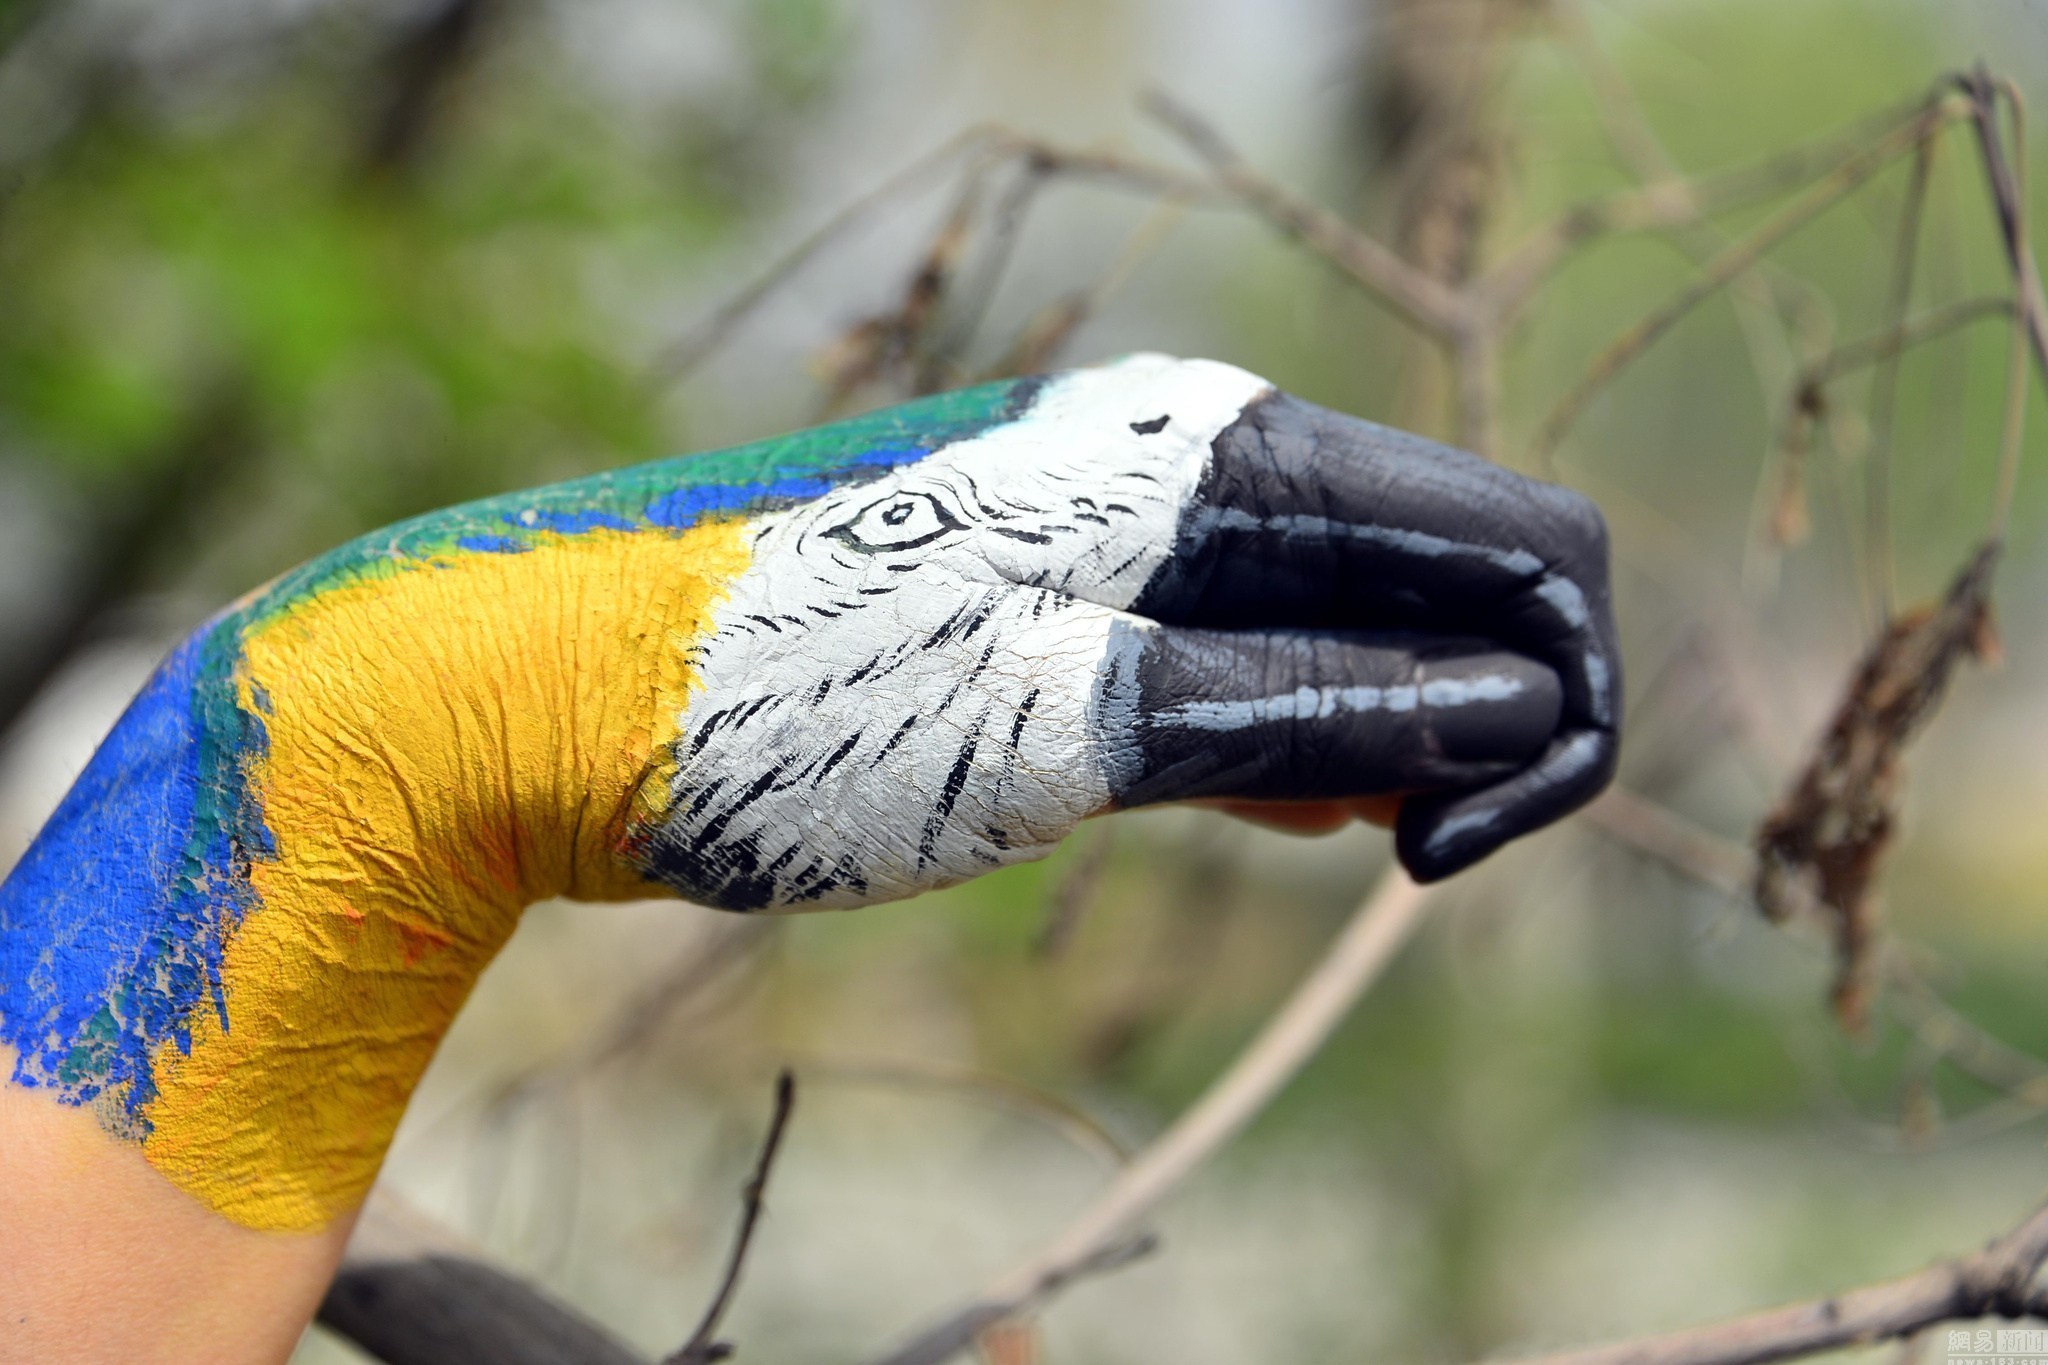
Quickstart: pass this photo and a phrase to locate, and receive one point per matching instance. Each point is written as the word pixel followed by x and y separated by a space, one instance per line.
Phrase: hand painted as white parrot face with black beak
pixel 1162 582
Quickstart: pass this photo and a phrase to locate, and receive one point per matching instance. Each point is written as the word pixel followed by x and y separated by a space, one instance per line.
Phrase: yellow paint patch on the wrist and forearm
pixel 447 746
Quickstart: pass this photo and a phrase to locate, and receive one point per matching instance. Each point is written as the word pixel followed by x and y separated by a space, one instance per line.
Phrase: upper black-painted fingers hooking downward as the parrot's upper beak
pixel 1316 519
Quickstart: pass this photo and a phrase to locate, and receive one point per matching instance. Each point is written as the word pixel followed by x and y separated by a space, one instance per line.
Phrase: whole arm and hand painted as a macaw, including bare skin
pixel 830 670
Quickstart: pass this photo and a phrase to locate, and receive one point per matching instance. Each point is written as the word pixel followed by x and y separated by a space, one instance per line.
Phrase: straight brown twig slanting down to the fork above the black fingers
pixel 1424 302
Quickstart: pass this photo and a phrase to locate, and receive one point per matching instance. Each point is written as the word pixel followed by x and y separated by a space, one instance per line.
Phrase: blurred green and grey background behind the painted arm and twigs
pixel 280 271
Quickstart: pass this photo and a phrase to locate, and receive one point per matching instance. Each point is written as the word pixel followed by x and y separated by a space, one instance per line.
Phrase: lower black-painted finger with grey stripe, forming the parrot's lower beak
pixel 1289 715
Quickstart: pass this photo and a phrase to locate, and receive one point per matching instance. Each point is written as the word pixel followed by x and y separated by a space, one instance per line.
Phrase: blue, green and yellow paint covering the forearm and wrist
pixel 253 916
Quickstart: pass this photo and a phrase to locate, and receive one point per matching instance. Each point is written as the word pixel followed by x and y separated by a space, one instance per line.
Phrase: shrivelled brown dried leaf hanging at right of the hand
pixel 1830 834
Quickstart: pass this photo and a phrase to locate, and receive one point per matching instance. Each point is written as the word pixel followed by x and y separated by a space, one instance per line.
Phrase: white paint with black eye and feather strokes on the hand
pixel 1037 535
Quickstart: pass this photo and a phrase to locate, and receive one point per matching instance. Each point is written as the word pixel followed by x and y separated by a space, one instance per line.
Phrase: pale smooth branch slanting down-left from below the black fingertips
pixel 1103 1235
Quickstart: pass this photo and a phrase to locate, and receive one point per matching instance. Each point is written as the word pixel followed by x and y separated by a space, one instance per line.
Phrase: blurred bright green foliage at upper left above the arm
pixel 404 337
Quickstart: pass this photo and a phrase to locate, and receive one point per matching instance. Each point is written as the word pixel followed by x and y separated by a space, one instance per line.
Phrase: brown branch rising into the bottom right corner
pixel 1992 1284
